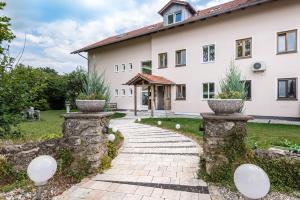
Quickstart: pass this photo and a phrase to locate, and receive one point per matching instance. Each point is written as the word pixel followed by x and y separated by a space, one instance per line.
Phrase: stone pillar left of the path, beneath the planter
pixel 83 135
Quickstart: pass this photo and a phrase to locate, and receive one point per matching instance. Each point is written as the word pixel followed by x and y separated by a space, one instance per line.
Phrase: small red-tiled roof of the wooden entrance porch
pixel 150 79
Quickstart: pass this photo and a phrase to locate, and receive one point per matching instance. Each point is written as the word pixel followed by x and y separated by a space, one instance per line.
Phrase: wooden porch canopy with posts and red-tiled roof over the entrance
pixel 150 80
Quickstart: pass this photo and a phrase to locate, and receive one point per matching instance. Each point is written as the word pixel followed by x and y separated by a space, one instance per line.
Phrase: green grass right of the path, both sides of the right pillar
pixel 264 135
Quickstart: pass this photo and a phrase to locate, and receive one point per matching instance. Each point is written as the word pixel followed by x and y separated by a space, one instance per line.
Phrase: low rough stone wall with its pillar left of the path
pixel 82 133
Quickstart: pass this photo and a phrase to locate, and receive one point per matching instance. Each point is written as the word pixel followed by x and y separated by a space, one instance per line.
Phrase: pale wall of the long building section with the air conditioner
pixel 262 24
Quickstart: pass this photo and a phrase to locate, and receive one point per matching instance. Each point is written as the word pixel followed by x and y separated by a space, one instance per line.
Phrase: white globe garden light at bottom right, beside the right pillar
pixel 251 181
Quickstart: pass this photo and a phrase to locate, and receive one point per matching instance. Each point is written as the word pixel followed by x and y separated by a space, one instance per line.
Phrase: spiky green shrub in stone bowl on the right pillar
pixel 231 98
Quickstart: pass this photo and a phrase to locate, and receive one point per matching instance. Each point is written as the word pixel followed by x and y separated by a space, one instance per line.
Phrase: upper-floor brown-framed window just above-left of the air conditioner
pixel 244 48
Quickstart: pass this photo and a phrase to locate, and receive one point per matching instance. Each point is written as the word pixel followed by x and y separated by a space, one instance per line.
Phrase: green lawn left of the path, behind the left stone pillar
pixel 50 126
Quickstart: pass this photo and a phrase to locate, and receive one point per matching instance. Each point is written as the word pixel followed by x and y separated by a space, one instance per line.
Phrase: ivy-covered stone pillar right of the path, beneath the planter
pixel 224 137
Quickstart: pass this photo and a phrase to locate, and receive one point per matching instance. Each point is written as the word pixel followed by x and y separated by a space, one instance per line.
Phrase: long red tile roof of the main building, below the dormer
pixel 201 15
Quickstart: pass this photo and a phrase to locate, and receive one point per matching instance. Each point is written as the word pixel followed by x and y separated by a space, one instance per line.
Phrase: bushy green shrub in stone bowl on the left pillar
pixel 95 93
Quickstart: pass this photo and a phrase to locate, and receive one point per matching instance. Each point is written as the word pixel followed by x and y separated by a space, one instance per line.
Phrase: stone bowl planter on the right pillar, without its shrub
pixel 225 106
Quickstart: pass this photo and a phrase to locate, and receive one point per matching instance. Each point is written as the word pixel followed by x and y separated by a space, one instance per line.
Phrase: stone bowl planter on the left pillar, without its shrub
pixel 90 106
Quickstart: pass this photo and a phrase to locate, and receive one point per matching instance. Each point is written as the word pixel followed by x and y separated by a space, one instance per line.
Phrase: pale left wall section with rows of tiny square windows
pixel 105 59
